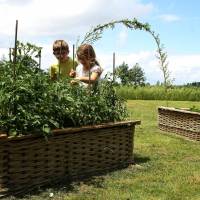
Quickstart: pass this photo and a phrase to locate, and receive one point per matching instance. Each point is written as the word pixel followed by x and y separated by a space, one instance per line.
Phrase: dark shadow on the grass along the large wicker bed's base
pixel 67 184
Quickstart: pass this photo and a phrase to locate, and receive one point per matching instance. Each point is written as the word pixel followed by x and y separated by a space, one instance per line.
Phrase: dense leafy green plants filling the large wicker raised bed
pixel 32 103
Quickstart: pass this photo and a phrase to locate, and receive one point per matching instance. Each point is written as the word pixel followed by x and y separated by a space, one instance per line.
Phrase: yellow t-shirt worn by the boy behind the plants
pixel 65 69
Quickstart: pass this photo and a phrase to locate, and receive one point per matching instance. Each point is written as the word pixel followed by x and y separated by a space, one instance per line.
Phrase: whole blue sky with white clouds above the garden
pixel 177 22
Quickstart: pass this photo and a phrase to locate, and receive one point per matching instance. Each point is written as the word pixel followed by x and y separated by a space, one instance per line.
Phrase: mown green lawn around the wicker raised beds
pixel 167 167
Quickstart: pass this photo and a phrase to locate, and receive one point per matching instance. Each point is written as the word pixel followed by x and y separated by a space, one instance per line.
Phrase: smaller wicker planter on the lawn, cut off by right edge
pixel 181 122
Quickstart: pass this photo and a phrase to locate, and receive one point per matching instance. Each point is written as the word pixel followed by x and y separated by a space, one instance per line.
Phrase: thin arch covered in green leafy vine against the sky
pixel 96 33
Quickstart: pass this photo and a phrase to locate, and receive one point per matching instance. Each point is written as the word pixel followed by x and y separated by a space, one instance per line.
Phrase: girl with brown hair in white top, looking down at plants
pixel 89 70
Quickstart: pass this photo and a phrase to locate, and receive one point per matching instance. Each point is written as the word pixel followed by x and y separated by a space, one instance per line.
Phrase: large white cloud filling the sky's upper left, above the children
pixel 41 20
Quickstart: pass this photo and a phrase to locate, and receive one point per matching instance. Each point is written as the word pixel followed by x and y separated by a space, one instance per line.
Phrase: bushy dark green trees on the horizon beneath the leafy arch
pixel 134 76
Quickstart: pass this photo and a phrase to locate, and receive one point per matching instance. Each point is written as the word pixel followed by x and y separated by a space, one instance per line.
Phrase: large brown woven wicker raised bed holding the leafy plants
pixel 30 161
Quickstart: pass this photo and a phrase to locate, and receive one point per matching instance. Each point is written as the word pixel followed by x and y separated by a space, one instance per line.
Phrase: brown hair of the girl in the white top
pixel 86 51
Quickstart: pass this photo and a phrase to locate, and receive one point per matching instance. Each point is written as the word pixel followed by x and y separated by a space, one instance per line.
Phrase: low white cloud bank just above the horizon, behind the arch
pixel 183 68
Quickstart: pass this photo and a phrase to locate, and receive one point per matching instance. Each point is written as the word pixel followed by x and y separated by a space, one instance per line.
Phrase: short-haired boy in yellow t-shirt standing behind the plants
pixel 65 66
